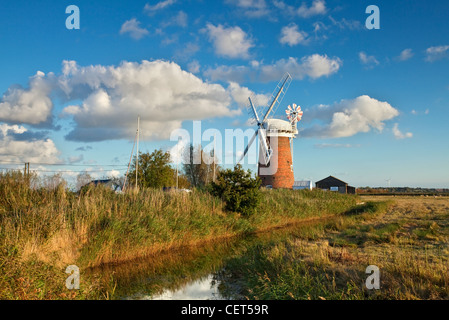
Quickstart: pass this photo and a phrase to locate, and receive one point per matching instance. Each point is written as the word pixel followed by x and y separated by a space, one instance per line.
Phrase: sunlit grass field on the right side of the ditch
pixel 408 240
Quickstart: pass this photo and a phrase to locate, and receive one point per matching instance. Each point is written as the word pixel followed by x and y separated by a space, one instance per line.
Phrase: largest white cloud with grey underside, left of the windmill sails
pixel 160 92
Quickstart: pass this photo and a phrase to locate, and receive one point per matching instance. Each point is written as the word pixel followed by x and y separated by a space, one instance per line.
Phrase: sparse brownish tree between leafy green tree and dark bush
pixel 197 170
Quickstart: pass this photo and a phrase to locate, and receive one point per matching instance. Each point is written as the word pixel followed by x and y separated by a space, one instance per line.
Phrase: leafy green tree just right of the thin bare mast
pixel 154 170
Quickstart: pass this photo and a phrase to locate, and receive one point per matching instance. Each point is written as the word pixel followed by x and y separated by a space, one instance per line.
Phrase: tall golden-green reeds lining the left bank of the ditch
pixel 57 227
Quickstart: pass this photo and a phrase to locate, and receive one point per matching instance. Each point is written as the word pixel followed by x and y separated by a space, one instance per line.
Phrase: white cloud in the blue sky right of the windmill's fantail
pixel 348 117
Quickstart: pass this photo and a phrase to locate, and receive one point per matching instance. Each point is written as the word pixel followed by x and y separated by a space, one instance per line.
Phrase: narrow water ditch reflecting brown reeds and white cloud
pixel 193 273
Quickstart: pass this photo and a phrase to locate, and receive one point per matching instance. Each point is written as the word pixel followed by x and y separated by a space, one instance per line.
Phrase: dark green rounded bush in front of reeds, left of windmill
pixel 238 189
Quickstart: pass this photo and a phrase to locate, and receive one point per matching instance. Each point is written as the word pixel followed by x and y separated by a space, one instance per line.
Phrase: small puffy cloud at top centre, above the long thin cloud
pixel 230 42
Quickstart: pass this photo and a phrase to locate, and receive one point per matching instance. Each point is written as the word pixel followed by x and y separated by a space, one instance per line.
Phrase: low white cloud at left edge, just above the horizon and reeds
pixel 15 149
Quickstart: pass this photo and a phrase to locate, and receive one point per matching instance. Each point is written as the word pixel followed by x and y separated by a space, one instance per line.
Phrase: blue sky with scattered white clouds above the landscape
pixel 375 102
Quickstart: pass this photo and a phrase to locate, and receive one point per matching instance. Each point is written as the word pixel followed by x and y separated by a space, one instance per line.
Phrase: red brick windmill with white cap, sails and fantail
pixel 275 139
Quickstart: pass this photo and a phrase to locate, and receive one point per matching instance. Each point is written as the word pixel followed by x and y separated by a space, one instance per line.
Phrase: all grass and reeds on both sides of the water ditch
pixel 43 231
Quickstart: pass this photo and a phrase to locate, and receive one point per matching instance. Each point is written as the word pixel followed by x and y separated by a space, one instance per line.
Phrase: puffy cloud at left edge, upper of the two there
pixel 31 105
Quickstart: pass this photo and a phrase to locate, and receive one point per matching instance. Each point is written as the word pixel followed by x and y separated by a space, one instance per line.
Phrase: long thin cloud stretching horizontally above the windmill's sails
pixel 313 66
